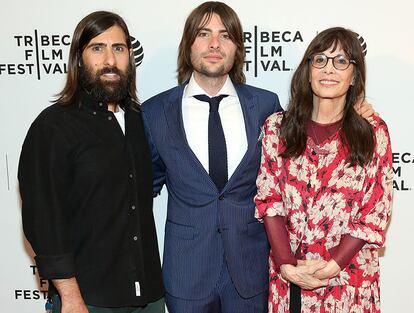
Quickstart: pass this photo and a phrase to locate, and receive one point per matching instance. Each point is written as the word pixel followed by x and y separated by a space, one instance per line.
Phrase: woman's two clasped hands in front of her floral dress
pixel 310 274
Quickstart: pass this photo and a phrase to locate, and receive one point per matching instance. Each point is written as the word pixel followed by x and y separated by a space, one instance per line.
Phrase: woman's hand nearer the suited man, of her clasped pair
pixel 303 274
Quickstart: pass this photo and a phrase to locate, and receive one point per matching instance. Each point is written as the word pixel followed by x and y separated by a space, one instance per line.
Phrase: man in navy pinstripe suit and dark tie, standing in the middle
pixel 215 252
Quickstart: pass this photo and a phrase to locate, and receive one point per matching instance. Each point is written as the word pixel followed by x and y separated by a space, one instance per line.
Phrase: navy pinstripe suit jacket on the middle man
pixel 202 223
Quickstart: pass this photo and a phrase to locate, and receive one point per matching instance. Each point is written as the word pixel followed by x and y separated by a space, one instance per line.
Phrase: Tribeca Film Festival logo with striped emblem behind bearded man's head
pixel 46 54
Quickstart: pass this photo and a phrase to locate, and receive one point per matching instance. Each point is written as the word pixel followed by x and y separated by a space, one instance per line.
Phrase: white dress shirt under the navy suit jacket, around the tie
pixel 195 119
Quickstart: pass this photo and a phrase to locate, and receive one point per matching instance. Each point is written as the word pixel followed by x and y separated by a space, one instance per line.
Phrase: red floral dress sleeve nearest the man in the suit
pixel 268 199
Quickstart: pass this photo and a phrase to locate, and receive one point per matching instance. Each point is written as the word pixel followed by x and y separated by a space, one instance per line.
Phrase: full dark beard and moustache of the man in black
pixel 106 91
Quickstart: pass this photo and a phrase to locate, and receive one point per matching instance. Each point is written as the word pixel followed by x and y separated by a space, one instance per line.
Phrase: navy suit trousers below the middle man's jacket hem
pixel 224 299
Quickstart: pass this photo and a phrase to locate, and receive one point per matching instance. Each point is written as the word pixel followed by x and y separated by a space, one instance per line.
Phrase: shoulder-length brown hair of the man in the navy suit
pixel 197 19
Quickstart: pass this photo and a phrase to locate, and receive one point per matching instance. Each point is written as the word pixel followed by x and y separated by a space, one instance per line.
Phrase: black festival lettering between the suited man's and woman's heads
pixel 265 49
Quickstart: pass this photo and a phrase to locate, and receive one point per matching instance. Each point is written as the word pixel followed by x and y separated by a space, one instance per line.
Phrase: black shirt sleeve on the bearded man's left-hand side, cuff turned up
pixel 44 178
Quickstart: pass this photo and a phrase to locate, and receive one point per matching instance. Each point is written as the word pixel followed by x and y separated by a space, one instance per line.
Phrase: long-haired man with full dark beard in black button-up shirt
pixel 86 182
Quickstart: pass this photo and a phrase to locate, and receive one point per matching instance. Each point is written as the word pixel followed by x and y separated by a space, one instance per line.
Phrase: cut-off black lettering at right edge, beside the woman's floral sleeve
pixel 401 161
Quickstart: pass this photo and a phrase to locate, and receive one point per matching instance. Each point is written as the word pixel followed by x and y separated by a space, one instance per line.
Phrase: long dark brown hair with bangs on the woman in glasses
pixel 356 132
